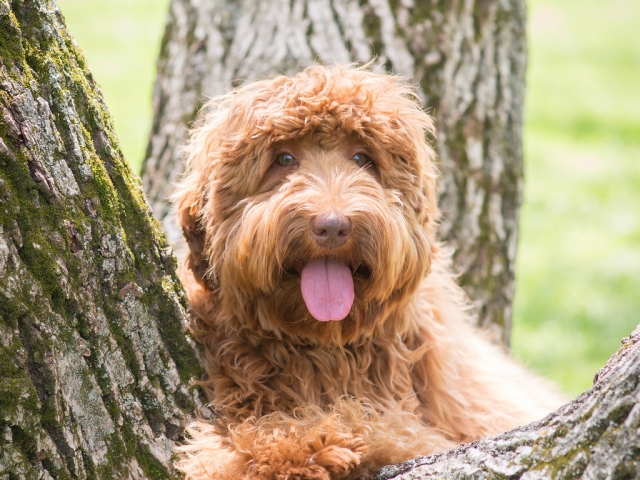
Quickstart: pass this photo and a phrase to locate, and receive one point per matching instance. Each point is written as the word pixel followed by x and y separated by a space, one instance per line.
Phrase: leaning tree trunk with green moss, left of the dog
pixel 95 363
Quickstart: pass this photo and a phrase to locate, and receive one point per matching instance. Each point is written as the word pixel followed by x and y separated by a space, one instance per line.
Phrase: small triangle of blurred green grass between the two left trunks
pixel 121 40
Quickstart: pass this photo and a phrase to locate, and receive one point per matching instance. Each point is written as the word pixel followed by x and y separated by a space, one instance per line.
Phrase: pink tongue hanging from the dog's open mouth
pixel 327 289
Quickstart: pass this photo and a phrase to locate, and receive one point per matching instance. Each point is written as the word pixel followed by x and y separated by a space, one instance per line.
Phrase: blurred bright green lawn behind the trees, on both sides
pixel 578 268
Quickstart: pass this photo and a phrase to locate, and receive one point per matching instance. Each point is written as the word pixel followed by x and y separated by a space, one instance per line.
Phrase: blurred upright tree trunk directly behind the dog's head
pixel 468 57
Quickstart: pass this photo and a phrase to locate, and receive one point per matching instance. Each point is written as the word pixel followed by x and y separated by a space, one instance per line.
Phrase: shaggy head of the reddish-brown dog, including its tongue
pixel 309 203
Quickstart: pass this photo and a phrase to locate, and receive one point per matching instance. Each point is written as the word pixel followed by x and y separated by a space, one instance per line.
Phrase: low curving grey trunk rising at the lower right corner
pixel 597 436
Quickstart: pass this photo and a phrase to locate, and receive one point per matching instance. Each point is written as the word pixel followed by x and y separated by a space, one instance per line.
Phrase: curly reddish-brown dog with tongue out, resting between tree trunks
pixel 336 339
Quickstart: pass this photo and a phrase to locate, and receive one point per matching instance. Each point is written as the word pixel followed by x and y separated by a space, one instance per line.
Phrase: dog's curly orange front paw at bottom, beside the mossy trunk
pixel 290 450
